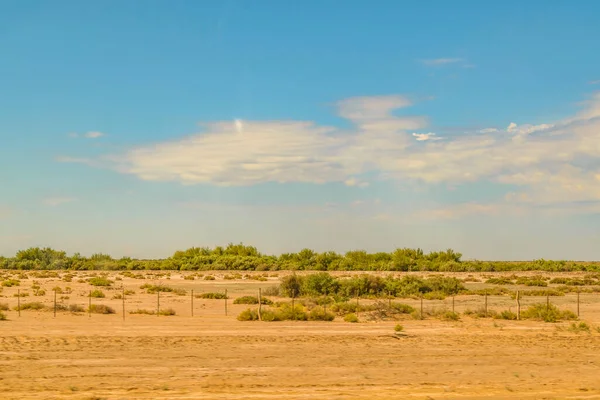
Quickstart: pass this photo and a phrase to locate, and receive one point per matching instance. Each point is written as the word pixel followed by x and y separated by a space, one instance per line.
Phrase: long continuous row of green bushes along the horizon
pixel 241 257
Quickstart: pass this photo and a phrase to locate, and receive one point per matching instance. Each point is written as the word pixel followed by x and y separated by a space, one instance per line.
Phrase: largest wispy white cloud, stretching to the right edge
pixel 543 160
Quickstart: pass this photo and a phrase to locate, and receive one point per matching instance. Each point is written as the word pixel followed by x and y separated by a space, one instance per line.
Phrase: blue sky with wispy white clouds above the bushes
pixel 142 127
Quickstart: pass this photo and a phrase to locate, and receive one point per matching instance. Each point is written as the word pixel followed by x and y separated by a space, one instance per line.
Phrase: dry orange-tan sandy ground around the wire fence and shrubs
pixel 213 356
